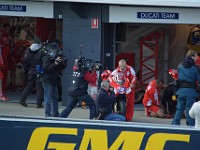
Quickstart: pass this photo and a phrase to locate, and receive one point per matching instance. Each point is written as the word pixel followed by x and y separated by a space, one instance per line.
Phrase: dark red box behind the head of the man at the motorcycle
pixel 130 57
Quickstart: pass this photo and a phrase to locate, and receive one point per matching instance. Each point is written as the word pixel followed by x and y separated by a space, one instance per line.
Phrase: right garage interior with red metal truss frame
pixel 154 47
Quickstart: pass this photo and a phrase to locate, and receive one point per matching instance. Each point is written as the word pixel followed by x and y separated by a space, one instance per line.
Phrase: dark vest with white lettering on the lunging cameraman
pixel 78 85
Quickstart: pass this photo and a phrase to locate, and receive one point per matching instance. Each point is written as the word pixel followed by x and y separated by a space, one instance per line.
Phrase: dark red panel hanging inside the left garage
pixel 46 29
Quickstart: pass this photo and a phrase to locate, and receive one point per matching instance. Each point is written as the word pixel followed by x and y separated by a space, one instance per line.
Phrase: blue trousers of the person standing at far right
pixel 184 102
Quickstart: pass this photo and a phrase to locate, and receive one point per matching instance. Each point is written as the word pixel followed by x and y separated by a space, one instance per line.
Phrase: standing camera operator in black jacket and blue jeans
pixel 52 64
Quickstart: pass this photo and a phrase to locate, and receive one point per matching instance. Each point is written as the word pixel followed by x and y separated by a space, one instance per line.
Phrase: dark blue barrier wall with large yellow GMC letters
pixel 20 133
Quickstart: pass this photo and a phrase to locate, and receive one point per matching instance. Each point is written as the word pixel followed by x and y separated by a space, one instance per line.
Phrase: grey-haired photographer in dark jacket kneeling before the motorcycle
pixel 105 101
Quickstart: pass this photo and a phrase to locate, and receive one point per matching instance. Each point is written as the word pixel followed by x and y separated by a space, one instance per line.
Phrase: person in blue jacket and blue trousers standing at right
pixel 188 77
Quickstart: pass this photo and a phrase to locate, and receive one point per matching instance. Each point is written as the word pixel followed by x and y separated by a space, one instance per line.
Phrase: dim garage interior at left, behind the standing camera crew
pixel 23 31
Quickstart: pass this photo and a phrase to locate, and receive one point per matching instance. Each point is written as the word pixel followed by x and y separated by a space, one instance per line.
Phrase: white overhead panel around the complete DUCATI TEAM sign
pixel 126 14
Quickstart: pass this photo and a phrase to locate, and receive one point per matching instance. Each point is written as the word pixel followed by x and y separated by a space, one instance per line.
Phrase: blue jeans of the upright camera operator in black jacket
pixel 51 99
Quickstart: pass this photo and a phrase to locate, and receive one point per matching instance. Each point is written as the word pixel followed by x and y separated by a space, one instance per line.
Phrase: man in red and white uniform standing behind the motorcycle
pixel 128 72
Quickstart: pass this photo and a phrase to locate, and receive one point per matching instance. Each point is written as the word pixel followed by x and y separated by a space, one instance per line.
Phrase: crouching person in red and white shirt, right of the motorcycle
pixel 151 100
